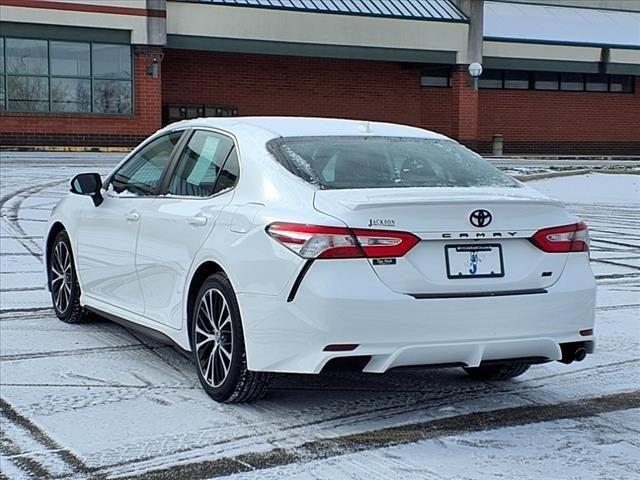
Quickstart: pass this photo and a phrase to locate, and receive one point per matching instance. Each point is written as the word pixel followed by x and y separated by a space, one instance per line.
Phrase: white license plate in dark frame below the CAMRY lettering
pixel 474 261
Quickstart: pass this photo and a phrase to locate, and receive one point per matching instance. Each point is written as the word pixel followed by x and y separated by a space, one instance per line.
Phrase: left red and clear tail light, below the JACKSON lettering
pixel 314 241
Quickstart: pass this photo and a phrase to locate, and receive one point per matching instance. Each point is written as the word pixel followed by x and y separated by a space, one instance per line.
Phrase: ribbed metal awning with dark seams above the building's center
pixel 439 10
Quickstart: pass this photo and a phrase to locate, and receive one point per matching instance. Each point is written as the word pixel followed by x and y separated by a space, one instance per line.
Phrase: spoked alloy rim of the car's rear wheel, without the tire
pixel 214 337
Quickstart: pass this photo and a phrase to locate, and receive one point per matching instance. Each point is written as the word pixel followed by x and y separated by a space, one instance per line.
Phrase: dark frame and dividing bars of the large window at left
pixel 4 77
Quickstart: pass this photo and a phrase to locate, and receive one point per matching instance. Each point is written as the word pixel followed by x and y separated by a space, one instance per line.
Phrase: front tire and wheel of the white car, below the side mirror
pixel 60 261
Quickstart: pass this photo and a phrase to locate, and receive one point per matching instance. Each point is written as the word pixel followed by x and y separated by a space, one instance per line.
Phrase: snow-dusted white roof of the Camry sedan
pixel 274 127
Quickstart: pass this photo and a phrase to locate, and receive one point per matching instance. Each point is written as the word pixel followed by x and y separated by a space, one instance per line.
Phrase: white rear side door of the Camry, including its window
pixel 177 223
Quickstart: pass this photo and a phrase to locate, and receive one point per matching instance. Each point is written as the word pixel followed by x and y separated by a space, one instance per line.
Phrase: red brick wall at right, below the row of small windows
pixel 530 118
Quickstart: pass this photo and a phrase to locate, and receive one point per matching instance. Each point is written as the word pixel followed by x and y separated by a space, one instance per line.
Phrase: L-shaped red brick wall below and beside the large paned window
pixel 96 130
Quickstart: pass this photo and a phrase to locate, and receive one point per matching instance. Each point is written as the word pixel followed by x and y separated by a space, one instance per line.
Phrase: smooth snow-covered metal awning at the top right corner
pixel 528 23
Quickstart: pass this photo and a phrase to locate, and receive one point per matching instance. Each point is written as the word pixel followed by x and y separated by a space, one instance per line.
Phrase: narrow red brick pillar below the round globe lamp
pixel 465 108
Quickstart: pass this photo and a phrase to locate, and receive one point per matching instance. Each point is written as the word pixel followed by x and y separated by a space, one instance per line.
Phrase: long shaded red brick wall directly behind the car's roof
pixel 281 85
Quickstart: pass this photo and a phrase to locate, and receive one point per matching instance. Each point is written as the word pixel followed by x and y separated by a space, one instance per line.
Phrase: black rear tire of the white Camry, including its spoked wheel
pixel 238 385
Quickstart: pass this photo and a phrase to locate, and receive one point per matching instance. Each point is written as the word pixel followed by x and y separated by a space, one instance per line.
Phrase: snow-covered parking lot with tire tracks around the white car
pixel 97 401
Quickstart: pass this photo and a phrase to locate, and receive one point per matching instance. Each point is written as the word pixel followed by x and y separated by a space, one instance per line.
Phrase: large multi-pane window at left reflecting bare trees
pixel 69 77
